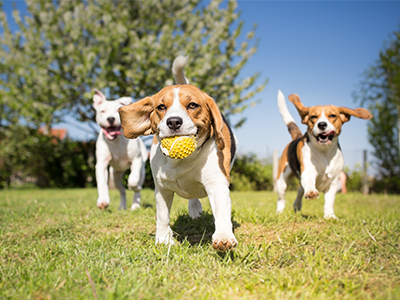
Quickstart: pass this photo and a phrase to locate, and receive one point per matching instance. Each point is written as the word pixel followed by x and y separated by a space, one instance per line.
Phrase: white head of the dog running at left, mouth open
pixel 107 114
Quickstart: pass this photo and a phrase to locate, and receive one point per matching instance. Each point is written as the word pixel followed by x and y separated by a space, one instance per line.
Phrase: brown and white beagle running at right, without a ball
pixel 315 157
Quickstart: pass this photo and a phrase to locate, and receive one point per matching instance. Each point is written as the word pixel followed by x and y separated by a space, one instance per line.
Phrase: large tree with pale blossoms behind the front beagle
pixel 64 49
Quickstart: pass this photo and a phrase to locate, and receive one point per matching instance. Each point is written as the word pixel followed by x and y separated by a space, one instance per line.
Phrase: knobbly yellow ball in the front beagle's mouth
pixel 178 147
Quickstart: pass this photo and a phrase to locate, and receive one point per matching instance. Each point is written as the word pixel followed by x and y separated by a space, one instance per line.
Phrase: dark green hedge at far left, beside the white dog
pixel 30 158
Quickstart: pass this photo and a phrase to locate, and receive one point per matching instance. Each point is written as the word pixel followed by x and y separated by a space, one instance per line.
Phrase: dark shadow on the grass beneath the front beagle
pixel 199 231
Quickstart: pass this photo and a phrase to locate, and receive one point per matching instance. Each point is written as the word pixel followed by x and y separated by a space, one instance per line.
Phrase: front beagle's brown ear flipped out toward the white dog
pixel 135 118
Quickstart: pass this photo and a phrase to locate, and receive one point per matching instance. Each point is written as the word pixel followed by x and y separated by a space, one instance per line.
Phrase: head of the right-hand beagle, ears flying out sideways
pixel 325 122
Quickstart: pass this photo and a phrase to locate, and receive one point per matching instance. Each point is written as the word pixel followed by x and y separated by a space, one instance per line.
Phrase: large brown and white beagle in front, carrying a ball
pixel 186 110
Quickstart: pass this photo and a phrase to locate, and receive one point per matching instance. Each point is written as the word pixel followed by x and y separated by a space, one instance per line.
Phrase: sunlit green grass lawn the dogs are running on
pixel 55 244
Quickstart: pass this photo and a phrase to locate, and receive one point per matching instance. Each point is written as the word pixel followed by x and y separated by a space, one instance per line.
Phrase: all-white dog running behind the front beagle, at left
pixel 116 151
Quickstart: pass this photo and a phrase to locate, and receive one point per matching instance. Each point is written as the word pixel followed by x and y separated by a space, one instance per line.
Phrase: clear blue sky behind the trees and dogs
pixel 316 49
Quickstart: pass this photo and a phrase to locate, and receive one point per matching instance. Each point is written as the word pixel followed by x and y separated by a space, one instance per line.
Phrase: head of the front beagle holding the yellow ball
pixel 175 110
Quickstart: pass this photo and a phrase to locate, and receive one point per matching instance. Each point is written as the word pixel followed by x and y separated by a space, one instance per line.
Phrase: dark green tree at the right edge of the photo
pixel 381 89
